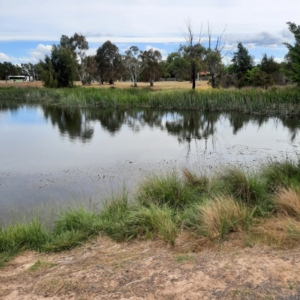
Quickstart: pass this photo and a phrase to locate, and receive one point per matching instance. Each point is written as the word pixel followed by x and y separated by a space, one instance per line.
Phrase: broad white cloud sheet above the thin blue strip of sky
pixel 140 19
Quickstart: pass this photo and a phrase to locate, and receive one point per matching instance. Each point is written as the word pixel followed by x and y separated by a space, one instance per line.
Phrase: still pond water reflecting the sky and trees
pixel 53 155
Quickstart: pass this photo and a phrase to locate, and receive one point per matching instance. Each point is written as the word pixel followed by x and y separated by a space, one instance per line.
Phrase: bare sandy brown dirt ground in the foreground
pixel 103 269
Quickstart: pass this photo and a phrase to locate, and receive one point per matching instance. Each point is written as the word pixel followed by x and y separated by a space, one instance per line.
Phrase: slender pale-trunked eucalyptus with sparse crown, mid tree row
pixel 133 63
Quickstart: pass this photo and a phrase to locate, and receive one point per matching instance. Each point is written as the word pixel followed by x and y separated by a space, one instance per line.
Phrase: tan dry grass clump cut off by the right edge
pixel 287 202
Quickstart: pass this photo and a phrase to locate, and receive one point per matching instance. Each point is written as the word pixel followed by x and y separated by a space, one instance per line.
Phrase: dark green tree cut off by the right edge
pixel 293 55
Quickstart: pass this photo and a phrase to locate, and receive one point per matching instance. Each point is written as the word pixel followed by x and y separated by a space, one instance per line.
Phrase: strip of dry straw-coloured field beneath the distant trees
pixel 157 85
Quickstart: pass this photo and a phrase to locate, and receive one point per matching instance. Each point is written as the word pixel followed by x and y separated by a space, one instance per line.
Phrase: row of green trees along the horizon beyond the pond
pixel 69 61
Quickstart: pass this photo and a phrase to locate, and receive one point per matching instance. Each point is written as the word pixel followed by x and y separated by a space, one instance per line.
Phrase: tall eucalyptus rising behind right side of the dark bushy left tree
pixel 78 45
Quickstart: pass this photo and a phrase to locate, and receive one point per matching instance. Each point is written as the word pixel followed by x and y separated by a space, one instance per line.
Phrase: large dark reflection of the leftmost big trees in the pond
pixel 69 121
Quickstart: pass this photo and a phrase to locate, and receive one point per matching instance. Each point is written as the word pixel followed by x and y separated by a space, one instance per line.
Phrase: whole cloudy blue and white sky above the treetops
pixel 28 28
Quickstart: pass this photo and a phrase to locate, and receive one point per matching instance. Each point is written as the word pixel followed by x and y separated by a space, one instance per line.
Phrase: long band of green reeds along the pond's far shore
pixel 274 101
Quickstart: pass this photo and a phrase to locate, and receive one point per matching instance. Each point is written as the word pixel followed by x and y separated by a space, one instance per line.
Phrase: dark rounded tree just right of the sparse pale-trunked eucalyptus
pixel 151 60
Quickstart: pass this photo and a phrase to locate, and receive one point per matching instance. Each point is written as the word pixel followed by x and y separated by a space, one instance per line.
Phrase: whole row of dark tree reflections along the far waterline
pixel 185 125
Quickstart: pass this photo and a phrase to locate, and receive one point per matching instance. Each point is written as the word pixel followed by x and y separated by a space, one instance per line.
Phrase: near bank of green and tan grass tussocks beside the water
pixel 263 205
